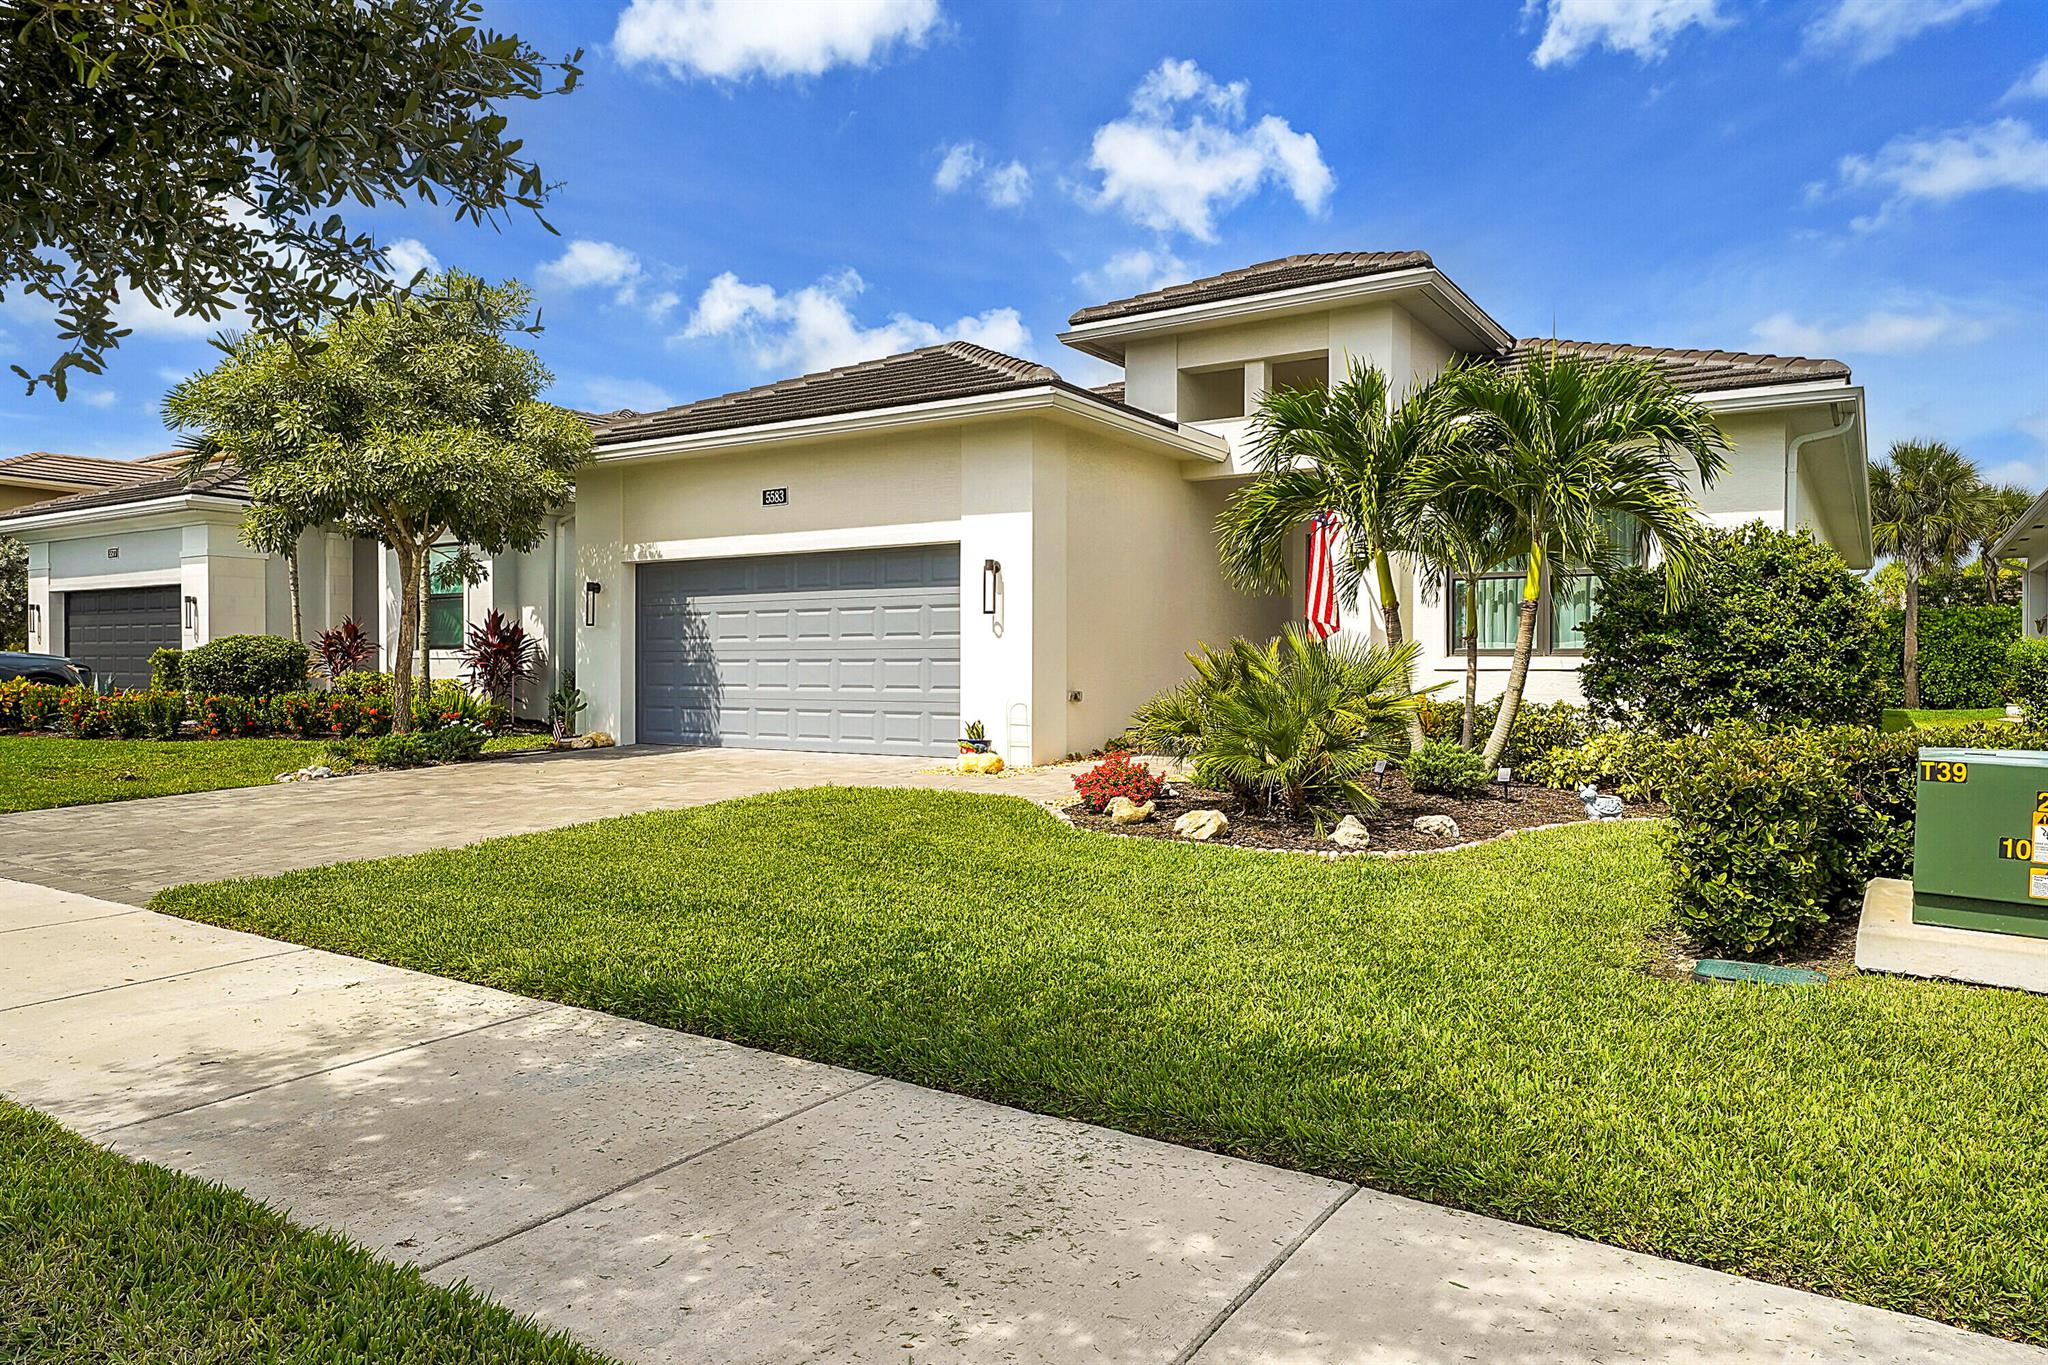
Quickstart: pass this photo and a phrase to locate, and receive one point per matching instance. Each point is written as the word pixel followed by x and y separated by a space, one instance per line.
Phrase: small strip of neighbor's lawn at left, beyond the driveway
pixel 48 770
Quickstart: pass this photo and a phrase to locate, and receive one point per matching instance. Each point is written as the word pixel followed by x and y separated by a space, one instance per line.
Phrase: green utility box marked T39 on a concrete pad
pixel 1981 840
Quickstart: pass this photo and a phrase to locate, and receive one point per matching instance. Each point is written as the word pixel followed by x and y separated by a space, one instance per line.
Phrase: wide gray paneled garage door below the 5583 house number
pixel 855 652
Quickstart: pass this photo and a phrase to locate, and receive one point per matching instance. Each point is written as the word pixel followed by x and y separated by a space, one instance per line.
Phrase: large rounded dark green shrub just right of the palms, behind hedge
pixel 1777 631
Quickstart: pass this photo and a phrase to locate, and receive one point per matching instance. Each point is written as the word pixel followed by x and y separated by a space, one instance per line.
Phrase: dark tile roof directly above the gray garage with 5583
pixel 945 371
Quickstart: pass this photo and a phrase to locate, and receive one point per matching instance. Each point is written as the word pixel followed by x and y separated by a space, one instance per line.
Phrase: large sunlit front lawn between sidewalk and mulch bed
pixel 1471 1028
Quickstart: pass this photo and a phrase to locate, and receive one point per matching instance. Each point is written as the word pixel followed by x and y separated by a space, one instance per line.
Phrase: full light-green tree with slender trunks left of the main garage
pixel 407 421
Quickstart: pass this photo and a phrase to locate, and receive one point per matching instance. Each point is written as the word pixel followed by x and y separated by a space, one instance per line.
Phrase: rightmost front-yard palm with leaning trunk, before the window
pixel 1562 447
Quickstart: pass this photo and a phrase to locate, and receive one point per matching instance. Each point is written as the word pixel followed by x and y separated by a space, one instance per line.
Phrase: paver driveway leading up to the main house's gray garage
pixel 136 848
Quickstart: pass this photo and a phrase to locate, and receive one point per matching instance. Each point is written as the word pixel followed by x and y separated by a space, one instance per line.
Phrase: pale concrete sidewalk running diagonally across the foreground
pixel 669 1198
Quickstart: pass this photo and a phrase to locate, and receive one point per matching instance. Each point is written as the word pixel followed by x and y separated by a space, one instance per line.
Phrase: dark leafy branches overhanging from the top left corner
pixel 196 152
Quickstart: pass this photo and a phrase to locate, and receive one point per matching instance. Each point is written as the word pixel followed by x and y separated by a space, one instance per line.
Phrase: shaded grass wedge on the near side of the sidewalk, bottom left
pixel 105 1260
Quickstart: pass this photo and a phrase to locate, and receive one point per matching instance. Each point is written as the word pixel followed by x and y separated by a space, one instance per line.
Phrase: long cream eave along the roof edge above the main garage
pixel 1052 402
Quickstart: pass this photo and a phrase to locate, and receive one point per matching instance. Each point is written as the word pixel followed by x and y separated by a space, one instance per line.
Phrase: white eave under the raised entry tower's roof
pixel 1424 290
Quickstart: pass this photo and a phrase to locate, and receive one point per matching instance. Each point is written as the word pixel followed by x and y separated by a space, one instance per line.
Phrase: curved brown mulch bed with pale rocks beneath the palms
pixel 1394 824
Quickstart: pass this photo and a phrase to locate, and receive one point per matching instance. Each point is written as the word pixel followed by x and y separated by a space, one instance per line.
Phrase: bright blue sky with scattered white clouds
pixel 755 189
